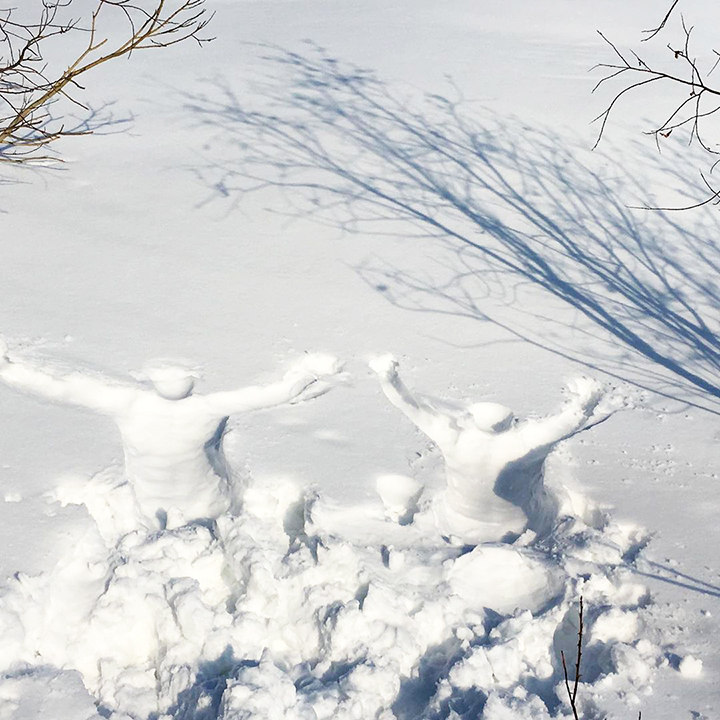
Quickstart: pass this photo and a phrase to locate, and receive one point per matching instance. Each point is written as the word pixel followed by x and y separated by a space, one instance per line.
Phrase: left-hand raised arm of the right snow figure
pixel 434 424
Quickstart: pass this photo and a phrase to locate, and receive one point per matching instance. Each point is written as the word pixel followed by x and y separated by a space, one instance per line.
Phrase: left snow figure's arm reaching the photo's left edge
pixel 74 388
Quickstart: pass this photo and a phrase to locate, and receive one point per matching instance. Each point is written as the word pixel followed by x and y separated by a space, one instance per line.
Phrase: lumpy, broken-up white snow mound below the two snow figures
pixel 279 612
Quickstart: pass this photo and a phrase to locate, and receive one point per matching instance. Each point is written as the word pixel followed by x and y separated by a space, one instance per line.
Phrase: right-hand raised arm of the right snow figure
pixel 585 395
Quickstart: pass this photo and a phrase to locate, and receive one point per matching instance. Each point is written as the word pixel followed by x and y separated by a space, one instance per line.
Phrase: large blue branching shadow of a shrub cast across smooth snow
pixel 509 208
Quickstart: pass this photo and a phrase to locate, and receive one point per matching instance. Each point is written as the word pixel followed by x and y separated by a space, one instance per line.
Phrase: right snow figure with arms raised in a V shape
pixel 494 467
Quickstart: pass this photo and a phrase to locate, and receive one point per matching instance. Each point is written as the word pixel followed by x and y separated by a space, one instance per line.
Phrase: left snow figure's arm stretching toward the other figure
pixel 291 388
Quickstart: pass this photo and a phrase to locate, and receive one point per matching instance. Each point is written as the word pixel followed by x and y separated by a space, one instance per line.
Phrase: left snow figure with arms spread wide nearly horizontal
pixel 172 439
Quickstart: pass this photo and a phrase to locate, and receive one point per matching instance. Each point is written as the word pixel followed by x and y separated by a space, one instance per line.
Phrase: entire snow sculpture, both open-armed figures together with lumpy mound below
pixel 195 595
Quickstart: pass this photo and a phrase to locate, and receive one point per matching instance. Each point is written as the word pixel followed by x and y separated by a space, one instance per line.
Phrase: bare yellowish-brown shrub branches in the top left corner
pixel 29 86
